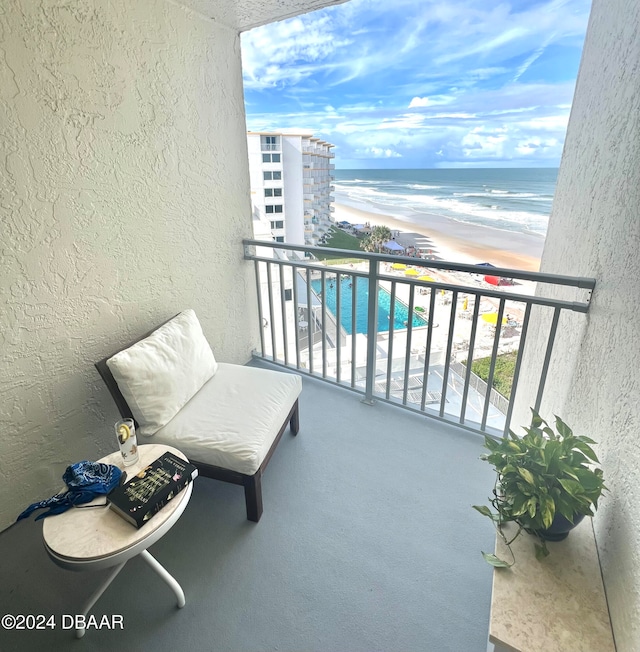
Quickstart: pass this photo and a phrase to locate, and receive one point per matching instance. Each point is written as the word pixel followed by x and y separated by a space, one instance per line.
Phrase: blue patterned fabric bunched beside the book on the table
pixel 85 481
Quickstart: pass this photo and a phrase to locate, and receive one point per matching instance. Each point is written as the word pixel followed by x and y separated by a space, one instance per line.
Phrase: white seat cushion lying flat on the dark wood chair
pixel 234 418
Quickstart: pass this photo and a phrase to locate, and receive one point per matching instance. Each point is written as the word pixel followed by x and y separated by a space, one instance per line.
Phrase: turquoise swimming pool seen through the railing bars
pixel 400 316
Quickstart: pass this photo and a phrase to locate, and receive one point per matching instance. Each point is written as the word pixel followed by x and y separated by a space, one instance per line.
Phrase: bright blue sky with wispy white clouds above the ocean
pixel 421 83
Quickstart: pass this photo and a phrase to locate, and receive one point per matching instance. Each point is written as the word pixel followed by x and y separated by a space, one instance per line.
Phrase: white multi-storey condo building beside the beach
pixel 291 178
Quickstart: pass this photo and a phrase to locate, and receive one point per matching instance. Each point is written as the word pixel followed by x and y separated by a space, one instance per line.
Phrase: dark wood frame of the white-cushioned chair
pixel 252 483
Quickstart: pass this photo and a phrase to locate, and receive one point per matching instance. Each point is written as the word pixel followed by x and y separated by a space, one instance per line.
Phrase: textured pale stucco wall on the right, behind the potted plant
pixel 595 231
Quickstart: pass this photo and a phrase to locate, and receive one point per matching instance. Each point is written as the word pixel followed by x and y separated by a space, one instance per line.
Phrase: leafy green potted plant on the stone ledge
pixel 546 483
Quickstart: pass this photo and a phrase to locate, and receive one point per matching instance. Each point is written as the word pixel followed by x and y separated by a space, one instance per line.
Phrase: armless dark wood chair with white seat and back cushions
pixel 226 418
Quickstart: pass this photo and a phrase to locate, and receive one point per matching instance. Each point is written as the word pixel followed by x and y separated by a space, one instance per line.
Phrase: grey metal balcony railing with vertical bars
pixel 405 330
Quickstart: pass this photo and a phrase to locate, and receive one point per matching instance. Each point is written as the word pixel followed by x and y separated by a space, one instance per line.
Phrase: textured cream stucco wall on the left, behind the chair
pixel 124 197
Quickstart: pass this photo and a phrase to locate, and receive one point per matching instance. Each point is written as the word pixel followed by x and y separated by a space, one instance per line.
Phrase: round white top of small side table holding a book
pixel 80 536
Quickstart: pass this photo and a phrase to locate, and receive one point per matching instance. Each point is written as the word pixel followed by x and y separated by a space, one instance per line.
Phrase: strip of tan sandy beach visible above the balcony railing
pixel 456 241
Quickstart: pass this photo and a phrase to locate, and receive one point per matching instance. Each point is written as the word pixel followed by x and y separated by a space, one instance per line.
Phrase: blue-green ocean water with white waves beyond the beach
pixel 514 199
